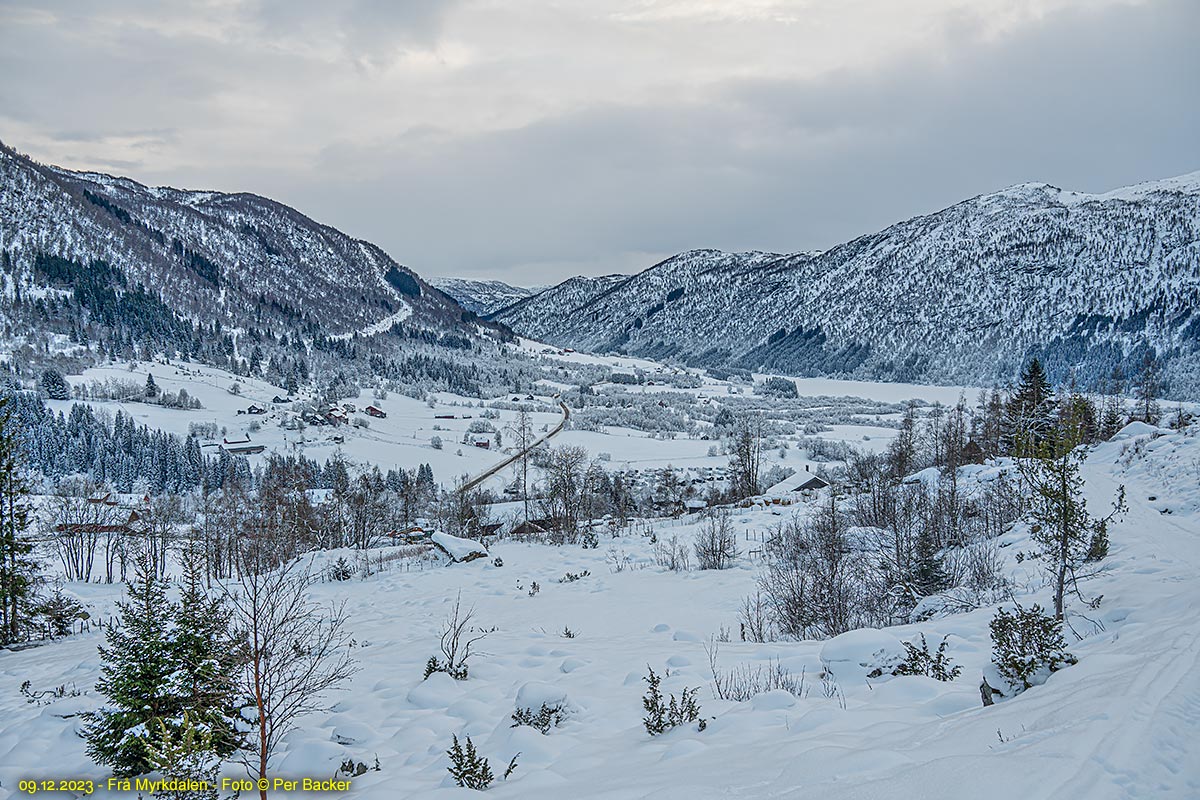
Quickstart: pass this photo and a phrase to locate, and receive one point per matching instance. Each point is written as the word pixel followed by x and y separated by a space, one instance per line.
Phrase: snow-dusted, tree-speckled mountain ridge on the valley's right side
pixel 964 296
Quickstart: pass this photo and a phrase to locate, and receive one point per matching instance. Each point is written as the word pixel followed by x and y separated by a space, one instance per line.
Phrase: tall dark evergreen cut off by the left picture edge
pixel 19 570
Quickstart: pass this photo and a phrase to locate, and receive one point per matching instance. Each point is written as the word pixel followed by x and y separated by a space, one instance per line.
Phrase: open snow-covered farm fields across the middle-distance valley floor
pixel 405 438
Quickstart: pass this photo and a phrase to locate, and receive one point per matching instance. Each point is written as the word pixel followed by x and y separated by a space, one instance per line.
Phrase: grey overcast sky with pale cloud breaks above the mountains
pixel 532 140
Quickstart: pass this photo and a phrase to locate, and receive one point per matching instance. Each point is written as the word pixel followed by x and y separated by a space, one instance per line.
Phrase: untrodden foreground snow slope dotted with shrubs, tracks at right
pixel 1125 723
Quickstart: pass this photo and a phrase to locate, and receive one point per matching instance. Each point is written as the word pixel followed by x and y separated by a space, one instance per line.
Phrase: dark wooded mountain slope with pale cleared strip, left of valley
pixel 238 260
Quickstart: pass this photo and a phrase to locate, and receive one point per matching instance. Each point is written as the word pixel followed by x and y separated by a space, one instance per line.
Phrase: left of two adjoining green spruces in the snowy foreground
pixel 136 677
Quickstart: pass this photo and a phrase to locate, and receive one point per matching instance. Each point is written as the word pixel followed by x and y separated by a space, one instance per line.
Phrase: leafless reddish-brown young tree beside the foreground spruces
pixel 297 653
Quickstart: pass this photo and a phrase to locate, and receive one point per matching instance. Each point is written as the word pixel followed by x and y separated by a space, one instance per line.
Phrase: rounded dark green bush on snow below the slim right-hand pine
pixel 1028 646
